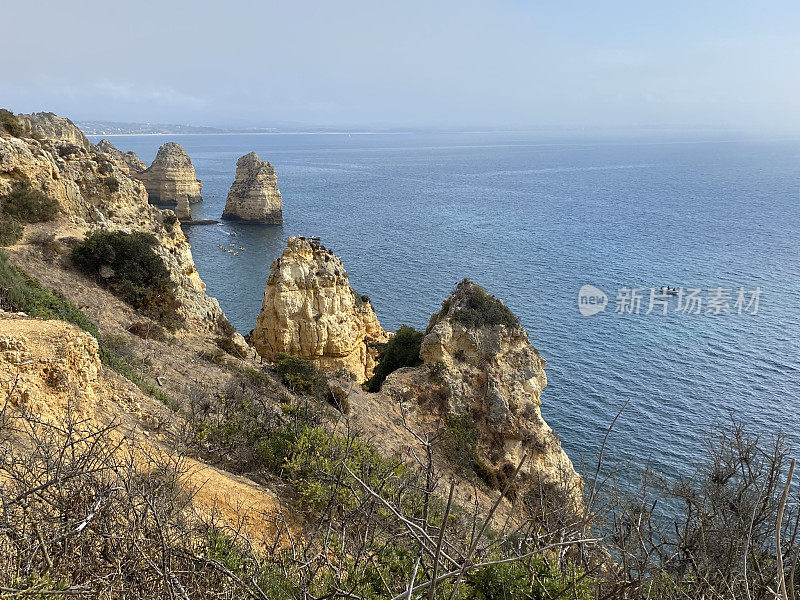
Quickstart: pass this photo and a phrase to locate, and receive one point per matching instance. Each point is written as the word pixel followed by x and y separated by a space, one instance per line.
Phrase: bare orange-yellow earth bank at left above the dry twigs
pixel 50 372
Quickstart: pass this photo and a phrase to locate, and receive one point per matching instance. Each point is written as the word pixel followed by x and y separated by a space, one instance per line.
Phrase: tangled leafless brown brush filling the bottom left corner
pixel 81 516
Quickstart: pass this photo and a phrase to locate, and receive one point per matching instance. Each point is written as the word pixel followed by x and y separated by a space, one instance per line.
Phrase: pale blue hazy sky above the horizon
pixel 451 63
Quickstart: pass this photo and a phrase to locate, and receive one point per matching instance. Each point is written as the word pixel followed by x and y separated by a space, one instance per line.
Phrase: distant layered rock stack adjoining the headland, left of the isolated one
pixel 170 176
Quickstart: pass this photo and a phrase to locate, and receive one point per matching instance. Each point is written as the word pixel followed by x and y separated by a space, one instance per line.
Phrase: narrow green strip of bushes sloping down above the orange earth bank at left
pixel 21 293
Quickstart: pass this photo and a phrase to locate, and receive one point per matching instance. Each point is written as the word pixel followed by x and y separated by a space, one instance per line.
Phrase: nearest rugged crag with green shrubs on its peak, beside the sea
pixel 480 365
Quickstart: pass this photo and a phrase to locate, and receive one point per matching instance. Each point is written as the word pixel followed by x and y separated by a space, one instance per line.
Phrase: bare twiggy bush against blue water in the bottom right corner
pixel 712 535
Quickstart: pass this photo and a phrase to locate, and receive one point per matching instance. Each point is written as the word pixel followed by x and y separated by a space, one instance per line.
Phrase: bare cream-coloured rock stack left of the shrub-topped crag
pixel 310 310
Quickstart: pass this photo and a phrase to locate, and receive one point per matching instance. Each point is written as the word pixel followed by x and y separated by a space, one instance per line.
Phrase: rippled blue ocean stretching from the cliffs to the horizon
pixel 532 220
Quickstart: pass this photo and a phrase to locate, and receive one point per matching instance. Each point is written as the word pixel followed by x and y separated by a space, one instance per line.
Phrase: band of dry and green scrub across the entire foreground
pixel 376 528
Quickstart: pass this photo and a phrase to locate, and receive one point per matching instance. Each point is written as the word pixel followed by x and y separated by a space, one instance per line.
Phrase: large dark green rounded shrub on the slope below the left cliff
pixel 126 263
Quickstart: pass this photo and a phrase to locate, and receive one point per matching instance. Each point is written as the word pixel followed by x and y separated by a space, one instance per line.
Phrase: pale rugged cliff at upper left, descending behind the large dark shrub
pixel 94 192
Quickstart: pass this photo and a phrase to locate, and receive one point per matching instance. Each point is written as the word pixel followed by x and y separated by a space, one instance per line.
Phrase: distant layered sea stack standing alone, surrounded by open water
pixel 254 196
